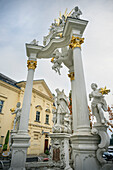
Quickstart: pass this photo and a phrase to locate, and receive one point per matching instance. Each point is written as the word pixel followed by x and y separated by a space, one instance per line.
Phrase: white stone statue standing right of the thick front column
pixel 98 104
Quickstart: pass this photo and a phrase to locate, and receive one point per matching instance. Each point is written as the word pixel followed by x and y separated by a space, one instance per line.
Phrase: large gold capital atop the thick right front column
pixel 76 42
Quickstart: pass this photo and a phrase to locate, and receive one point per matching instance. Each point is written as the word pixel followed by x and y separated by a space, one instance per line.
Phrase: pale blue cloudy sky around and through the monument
pixel 22 21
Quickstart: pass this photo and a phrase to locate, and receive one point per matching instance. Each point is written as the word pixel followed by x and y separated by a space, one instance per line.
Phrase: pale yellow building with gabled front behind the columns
pixel 40 119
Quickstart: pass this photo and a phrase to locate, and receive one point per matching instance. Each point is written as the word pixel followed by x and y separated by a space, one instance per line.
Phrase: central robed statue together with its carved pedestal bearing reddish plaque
pixel 60 142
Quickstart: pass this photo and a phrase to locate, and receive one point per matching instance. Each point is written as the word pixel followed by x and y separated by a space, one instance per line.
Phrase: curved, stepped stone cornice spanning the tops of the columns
pixel 76 26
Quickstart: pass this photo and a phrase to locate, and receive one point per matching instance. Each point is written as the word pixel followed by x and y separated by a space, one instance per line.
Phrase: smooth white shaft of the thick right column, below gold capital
pixel 80 92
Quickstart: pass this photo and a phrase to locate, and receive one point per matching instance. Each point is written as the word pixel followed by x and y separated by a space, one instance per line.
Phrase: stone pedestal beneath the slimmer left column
pixel 20 144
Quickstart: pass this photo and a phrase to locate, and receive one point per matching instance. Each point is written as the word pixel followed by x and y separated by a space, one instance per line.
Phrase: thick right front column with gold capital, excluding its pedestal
pixel 78 88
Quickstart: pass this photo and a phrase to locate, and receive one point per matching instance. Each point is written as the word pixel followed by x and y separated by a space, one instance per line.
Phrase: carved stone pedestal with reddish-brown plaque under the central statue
pixel 60 151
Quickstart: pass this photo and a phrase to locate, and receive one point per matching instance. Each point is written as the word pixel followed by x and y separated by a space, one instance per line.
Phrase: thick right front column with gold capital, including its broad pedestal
pixel 84 145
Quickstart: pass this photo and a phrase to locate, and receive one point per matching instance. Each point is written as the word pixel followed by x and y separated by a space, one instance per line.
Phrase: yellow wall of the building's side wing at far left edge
pixel 10 96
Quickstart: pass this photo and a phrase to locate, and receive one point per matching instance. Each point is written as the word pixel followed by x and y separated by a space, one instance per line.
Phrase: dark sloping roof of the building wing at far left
pixel 8 80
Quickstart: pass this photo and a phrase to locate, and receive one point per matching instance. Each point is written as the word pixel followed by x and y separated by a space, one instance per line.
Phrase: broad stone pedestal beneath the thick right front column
pixel 84 151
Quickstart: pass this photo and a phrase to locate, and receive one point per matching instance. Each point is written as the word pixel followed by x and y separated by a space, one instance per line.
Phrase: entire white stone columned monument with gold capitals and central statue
pixel 63 45
